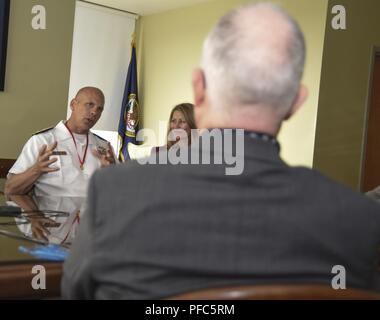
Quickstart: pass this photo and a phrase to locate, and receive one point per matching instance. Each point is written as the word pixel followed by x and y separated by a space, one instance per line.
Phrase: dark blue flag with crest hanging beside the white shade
pixel 130 113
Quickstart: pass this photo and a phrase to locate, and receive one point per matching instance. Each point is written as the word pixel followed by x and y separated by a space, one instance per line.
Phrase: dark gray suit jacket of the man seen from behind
pixel 158 230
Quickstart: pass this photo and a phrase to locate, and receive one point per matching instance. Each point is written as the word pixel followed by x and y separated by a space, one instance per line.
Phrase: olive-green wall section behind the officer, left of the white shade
pixel 37 77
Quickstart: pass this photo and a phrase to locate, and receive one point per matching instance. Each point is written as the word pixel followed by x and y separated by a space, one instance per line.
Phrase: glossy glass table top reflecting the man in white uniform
pixel 29 221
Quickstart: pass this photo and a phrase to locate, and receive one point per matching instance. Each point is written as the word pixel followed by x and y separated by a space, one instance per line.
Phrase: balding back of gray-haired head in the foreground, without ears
pixel 255 55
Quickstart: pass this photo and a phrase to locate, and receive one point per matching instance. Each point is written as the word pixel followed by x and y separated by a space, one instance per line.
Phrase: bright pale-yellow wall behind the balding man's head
pixel 169 47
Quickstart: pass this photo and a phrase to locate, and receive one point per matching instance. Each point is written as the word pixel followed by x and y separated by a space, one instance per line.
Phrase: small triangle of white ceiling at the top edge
pixel 145 7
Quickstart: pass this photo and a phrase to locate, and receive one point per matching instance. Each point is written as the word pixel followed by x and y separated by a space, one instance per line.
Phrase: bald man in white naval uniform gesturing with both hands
pixel 59 161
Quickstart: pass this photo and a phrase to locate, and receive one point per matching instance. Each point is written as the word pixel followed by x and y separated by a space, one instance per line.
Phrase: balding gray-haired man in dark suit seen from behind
pixel 175 229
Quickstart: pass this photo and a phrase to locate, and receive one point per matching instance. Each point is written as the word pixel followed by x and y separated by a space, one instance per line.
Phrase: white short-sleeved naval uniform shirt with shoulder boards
pixel 70 180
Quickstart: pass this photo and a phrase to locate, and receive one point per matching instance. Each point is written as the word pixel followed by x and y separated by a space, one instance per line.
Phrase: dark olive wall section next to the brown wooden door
pixel 345 85
